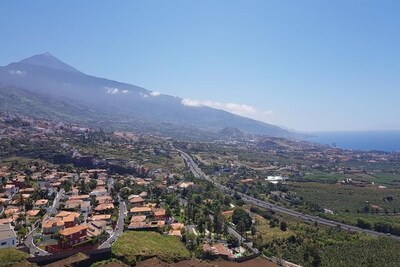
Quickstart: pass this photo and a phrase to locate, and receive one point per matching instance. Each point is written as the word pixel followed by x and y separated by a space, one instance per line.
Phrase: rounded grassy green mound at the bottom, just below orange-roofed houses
pixel 133 246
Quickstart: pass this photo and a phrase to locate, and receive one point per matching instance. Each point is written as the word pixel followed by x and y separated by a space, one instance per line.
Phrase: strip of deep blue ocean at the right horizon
pixel 388 141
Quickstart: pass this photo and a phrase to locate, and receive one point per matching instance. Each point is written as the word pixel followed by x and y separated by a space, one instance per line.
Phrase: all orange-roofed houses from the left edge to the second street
pixel 28 201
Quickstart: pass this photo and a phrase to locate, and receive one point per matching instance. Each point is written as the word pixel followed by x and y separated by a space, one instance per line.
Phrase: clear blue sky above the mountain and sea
pixel 305 65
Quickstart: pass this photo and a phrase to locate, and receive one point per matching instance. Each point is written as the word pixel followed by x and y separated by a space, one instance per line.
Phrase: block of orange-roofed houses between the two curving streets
pixel 82 217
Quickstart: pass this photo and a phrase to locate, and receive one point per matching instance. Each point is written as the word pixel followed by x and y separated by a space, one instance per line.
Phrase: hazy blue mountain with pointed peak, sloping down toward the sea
pixel 46 75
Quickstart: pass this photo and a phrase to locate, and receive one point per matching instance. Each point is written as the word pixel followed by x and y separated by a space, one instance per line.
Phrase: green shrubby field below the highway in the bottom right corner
pixel 308 245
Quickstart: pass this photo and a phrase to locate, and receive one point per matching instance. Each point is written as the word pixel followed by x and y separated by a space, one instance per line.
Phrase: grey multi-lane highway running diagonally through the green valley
pixel 198 173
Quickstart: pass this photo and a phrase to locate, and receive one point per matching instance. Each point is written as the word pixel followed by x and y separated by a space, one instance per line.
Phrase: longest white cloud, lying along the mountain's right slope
pixel 238 109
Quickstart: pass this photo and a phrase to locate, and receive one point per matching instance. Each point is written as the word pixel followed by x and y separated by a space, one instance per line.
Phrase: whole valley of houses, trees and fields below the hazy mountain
pixel 68 189
